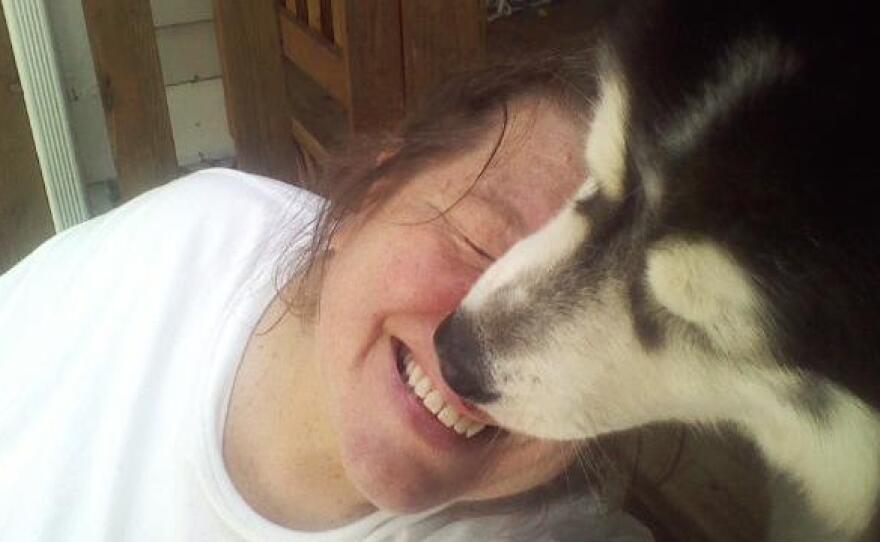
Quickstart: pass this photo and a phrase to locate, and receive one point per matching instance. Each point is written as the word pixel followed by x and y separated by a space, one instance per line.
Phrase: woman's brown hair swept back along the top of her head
pixel 458 114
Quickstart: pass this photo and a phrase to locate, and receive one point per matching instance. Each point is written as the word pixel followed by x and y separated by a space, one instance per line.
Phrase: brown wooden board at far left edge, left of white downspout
pixel 25 220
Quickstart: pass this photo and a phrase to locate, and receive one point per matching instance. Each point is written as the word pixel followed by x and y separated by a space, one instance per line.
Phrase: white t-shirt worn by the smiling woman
pixel 119 341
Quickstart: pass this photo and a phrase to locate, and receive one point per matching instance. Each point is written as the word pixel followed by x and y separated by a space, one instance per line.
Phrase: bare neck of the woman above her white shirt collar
pixel 279 445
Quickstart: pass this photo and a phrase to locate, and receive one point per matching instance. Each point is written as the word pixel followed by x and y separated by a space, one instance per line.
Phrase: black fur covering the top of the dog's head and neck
pixel 784 174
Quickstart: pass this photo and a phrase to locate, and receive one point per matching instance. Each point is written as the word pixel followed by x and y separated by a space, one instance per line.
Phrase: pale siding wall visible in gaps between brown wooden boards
pixel 194 87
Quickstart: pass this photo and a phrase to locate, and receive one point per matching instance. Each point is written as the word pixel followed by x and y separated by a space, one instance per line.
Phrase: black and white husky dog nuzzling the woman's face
pixel 721 262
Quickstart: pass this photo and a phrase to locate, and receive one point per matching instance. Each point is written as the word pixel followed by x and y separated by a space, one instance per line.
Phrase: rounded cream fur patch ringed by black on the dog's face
pixel 702 284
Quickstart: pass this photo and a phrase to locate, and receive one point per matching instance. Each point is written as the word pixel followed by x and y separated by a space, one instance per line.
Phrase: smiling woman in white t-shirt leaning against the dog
pixel 190 367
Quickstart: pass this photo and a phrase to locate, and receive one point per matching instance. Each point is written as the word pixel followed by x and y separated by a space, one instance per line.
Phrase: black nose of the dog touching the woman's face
pixel 462 360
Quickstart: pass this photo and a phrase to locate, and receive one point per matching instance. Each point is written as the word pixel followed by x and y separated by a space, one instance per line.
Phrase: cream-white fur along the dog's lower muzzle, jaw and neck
pixel 591 377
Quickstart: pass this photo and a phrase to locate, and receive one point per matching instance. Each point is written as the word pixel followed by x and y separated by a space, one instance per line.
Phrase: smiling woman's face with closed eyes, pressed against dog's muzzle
pixel 396 274
